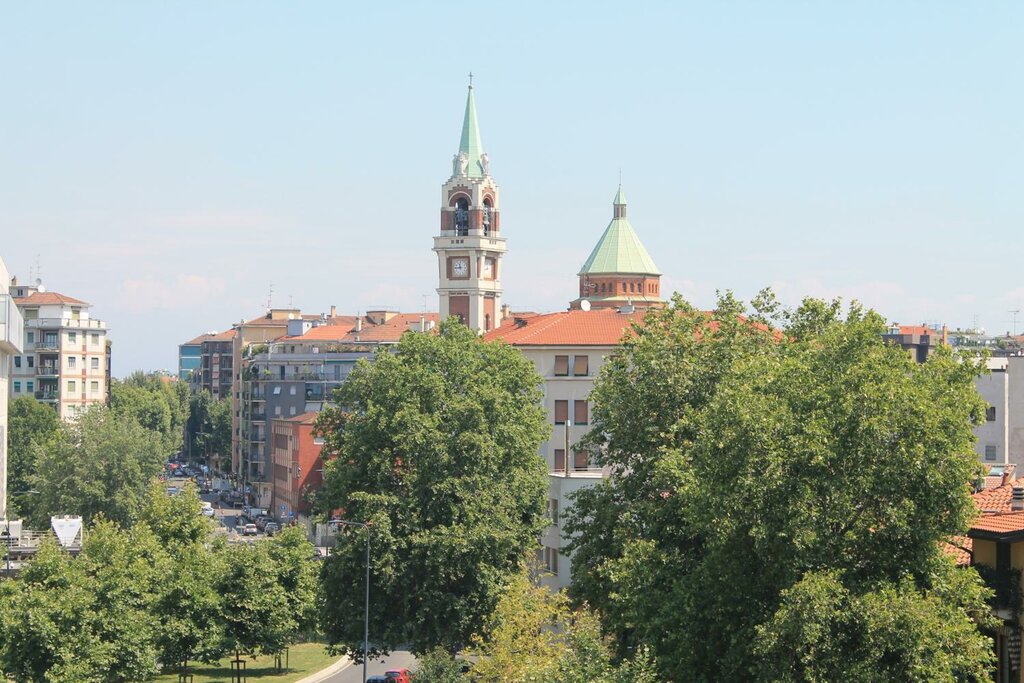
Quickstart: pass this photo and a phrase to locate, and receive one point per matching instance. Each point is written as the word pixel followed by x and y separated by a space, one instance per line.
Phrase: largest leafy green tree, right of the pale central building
pixel 747 458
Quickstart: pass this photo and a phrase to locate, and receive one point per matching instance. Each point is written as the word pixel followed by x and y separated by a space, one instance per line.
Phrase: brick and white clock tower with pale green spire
pixel 470 246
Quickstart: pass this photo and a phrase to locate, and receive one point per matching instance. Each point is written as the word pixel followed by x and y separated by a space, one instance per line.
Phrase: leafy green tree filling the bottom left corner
pixel 84 620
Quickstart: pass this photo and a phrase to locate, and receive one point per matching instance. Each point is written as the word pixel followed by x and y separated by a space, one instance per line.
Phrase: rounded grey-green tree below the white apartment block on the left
pixel 99 464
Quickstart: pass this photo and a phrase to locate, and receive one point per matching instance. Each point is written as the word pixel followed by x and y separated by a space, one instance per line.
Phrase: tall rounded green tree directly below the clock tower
pixel 437 447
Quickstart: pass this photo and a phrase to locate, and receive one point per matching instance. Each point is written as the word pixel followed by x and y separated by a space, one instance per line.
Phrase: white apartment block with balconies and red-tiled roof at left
pixel 65 360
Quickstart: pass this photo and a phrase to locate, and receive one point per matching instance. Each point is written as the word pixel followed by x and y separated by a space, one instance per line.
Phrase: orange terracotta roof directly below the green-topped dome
pixel 571 328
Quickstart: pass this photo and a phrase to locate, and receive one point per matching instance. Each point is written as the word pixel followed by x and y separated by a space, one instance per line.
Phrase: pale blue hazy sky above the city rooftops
pixel 168 162
